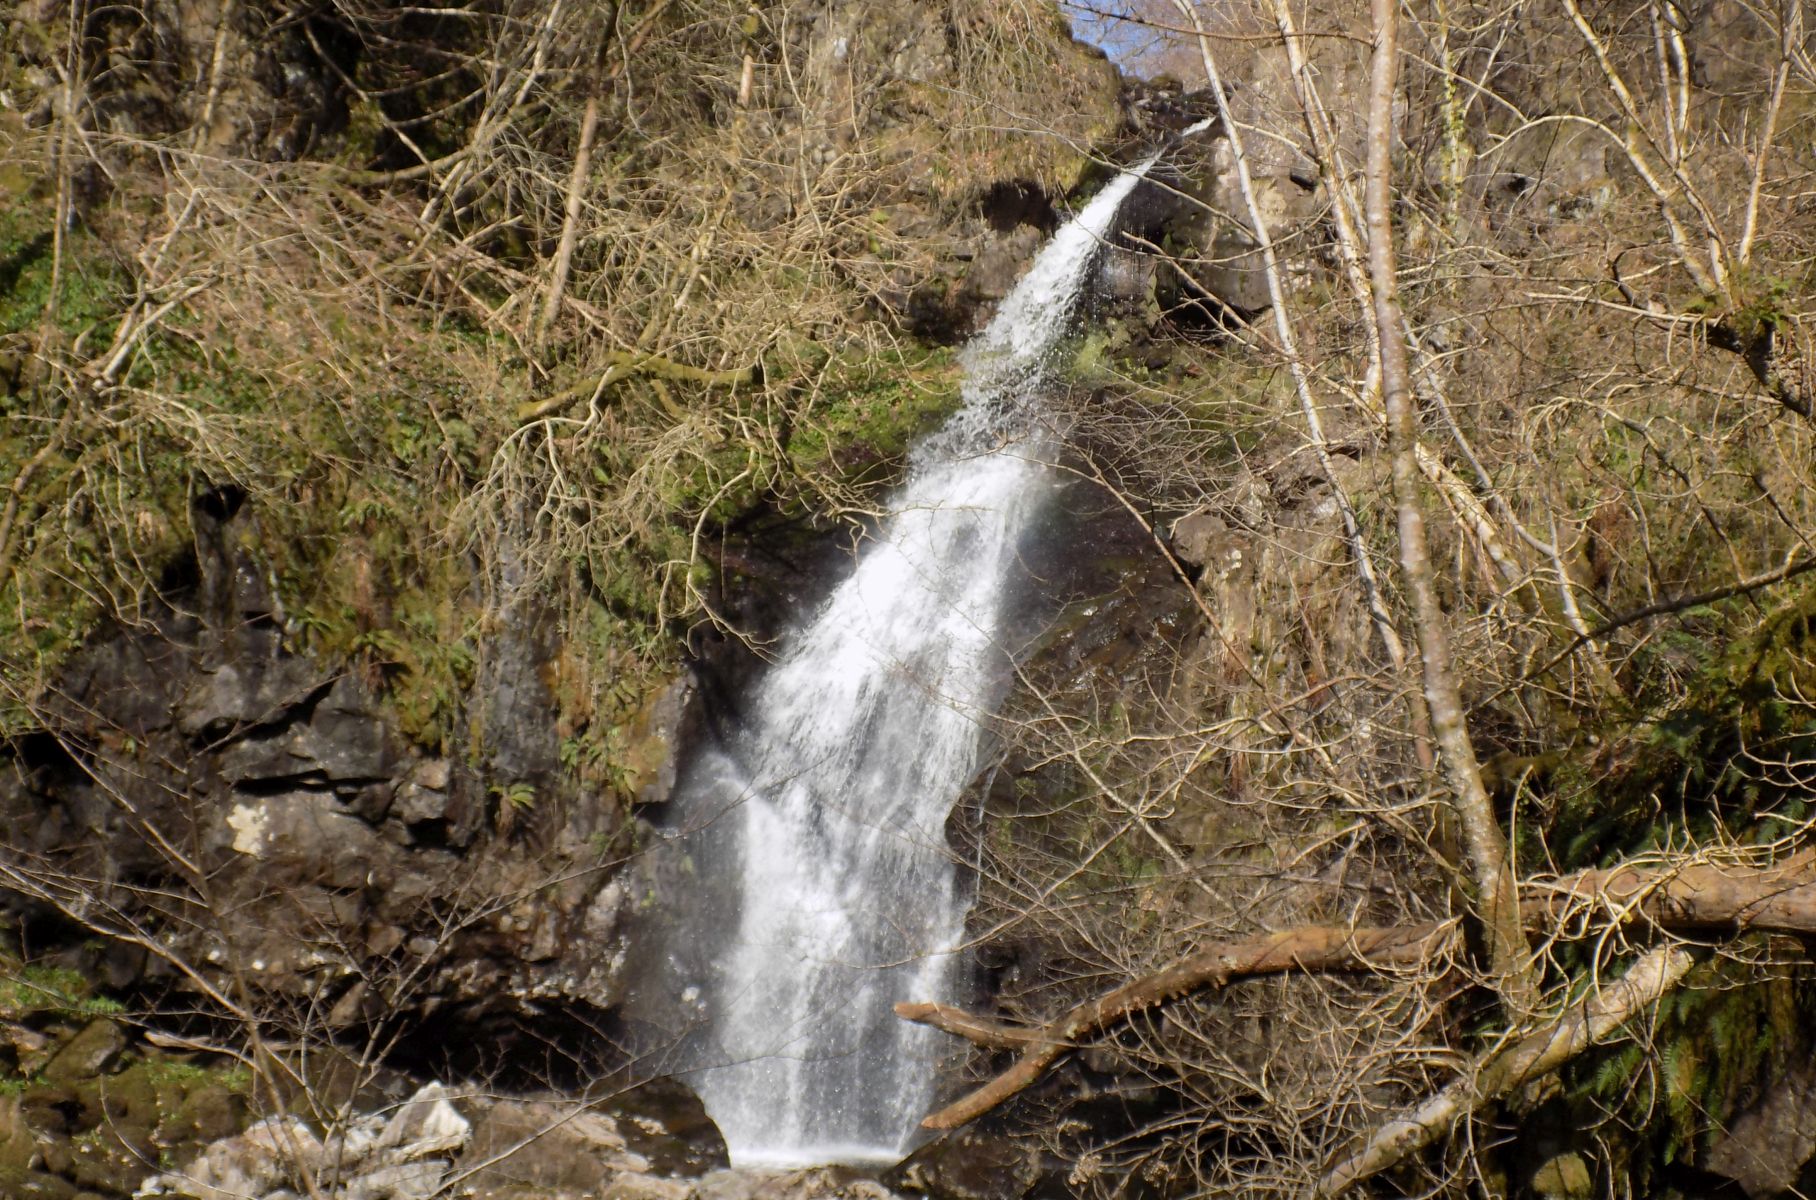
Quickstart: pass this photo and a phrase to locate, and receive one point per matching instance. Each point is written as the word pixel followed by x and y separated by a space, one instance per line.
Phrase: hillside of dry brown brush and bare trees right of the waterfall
pixel 1594 409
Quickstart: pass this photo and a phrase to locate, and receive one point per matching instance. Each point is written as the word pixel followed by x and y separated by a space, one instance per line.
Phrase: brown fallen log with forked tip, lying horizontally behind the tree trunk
pixel 1695 898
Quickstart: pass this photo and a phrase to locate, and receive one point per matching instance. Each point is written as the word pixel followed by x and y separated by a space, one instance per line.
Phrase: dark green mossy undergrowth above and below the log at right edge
pixel 1730 762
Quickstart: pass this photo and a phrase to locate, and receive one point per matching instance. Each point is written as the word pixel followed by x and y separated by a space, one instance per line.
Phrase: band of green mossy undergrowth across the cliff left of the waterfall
pixel 355 451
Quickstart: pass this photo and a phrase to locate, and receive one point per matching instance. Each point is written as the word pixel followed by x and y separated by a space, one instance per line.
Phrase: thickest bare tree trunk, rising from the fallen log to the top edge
pixel 1490 865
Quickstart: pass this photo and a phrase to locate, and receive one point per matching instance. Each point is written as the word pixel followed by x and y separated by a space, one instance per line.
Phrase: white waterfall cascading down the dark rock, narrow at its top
pixel 825 814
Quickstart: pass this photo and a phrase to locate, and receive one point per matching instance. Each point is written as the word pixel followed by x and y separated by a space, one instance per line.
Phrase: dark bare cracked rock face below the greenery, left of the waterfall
pixel 250 816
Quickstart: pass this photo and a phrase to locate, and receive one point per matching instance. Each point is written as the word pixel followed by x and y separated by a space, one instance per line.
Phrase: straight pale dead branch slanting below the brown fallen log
pixel 1577 1030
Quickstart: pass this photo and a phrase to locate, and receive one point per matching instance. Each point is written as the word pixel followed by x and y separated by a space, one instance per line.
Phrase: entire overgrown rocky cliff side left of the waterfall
pixel 281 760
